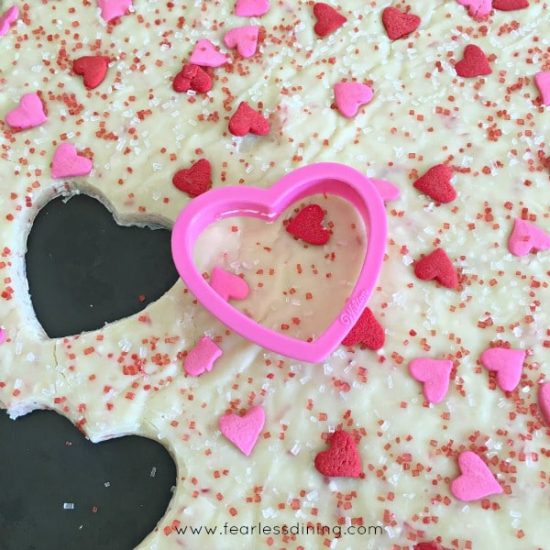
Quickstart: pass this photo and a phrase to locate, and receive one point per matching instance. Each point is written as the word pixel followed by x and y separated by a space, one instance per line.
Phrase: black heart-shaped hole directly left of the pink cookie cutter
pixel 84 270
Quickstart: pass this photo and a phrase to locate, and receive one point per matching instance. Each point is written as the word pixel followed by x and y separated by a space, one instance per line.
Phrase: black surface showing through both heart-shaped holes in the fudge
pixel 84 270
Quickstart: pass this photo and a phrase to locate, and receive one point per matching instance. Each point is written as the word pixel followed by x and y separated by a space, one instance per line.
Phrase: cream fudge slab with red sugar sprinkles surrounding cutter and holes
pixel 493 132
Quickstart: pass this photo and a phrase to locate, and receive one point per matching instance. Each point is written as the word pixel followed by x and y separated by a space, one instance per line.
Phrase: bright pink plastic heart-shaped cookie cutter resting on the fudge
pixel 268 204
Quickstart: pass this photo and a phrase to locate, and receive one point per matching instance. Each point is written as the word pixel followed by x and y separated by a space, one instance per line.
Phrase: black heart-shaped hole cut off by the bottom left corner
pixel 59 490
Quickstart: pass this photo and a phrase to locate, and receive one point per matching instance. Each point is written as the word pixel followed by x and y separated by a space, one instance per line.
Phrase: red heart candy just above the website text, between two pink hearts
pixel 341 459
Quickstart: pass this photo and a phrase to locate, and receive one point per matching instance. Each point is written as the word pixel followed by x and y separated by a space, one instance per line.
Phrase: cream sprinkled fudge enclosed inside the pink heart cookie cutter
pixel 295 288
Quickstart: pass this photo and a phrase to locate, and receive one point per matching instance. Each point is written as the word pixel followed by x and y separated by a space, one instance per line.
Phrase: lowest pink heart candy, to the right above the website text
pixel 476 480
